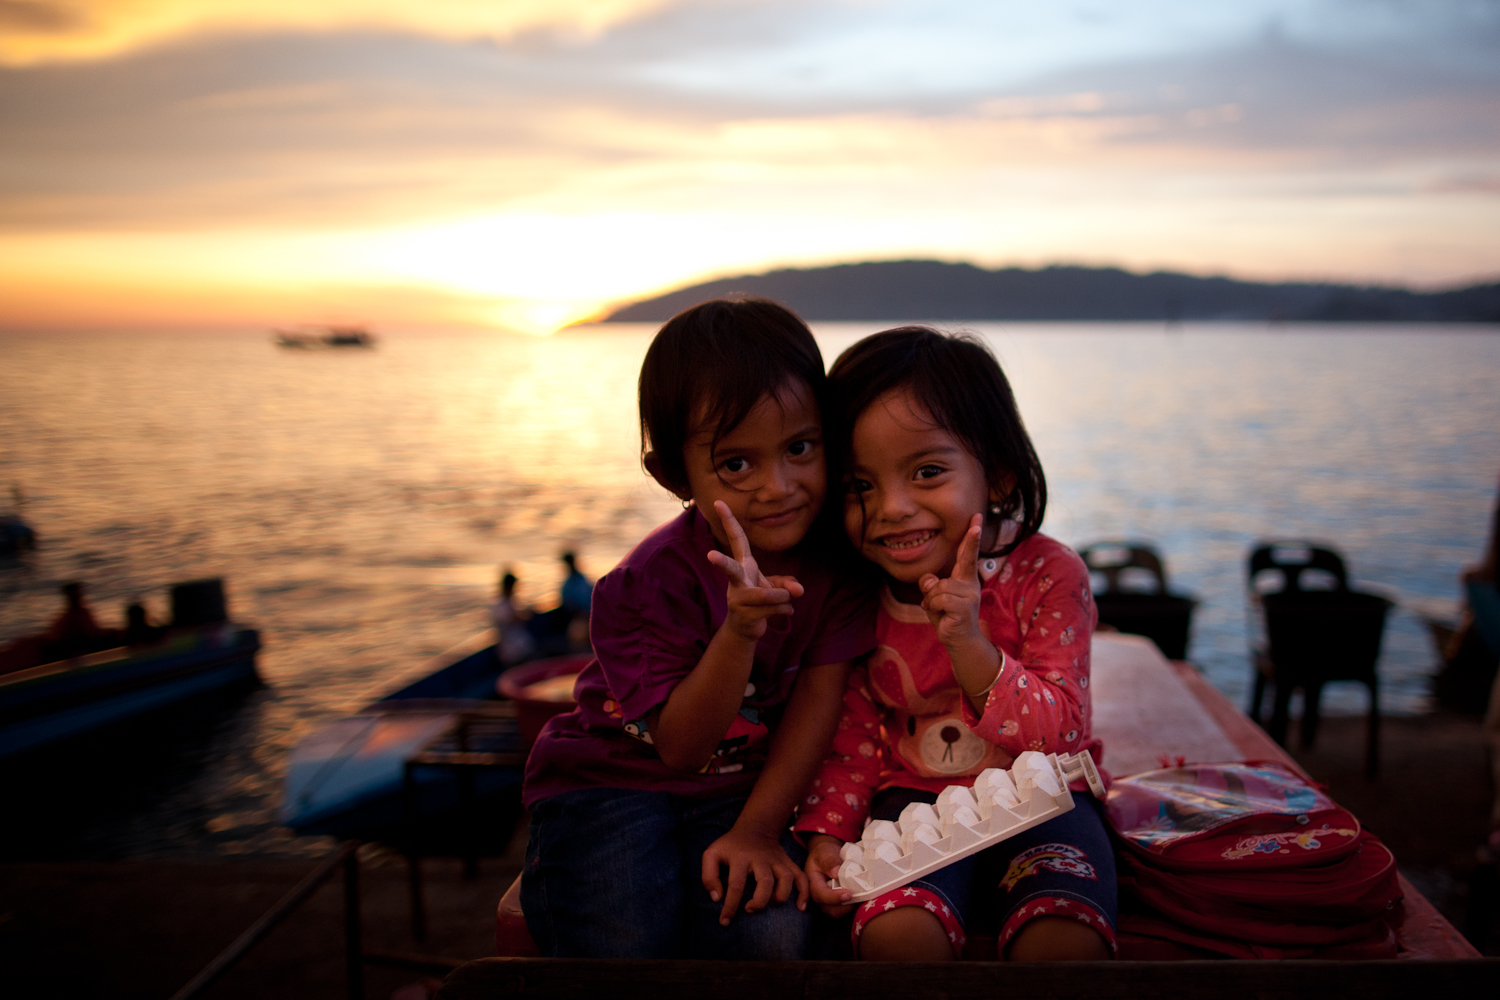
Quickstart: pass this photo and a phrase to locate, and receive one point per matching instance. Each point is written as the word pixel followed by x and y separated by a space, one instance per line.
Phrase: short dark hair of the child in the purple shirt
pixel 724 355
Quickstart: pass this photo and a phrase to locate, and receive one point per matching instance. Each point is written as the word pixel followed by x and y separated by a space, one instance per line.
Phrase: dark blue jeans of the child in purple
pixel 617 873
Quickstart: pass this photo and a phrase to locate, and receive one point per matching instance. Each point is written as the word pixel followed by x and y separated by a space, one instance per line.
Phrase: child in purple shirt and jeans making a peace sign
pixel 722 651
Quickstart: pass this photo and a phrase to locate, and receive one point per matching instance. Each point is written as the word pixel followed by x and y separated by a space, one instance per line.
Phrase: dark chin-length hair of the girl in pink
pixel 964 389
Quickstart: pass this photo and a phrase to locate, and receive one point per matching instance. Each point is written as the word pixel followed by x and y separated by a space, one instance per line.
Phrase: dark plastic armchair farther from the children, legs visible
pixel 1313 635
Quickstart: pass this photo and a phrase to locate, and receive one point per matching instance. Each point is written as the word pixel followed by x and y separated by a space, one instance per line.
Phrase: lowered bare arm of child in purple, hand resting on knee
pixel 754 845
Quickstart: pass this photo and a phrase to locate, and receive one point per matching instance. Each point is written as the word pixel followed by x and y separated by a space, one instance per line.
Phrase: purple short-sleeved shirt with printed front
pixel 652 621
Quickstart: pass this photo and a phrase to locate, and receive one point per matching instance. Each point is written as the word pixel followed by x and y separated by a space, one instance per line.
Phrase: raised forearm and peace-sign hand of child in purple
pixel 704 704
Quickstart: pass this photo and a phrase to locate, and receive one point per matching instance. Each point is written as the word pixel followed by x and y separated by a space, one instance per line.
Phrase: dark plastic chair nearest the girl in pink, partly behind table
pixel 1132 594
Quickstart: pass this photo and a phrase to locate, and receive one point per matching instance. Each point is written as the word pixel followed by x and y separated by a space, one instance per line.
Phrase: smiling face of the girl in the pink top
pixel 913 491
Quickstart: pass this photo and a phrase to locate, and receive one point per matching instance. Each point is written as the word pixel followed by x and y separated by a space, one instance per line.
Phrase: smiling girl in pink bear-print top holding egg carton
pixel 983 653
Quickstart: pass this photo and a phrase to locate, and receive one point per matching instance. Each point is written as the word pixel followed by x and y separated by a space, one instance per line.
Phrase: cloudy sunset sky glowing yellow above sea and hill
pixel 527 163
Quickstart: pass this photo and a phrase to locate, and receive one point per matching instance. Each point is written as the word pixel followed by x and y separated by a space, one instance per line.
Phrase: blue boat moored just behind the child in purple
pixel 443 741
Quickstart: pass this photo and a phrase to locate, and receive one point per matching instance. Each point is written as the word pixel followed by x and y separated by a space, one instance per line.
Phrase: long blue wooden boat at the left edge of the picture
pixel 70 698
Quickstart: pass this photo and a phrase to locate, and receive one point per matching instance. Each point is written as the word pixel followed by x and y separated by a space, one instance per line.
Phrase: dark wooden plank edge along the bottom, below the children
pixel 572 980
